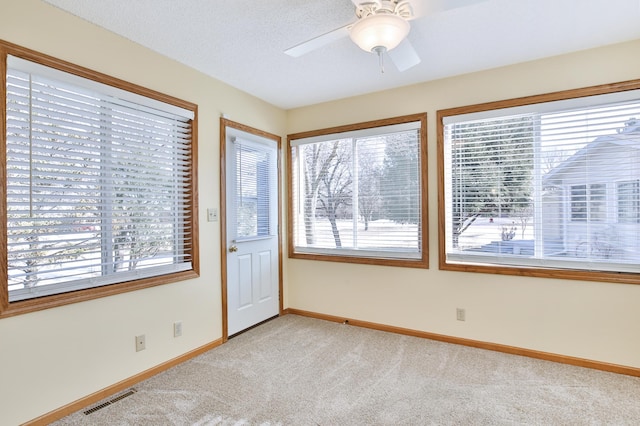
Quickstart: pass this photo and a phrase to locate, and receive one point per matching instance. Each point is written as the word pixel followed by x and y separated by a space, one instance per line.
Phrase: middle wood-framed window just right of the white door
pixel 358 193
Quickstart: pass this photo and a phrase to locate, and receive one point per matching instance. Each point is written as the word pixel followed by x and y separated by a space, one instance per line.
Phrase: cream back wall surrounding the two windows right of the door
pixel 597 321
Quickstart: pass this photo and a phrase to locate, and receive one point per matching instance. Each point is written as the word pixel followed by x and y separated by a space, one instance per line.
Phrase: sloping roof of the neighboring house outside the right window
pixel 628 136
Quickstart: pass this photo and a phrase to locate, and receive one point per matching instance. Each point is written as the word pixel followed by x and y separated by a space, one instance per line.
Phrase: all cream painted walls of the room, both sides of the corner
pixel 54 357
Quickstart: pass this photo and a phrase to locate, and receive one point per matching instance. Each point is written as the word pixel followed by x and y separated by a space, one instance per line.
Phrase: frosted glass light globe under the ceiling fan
pixel 382 30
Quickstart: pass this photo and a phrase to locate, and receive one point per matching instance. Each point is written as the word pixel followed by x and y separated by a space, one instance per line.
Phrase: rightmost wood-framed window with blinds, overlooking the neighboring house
pixel 543 186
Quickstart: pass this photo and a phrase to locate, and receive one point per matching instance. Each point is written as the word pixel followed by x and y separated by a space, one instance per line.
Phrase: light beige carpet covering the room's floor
pixel 295 370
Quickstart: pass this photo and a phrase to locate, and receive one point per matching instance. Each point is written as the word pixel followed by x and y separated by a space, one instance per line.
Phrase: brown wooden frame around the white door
pixel 224 123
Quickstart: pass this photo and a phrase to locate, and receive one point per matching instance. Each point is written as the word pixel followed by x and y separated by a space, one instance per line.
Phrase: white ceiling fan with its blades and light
pixel 382 27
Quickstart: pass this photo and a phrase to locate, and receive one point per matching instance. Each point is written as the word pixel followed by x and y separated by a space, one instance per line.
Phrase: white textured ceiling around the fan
pixel 241 42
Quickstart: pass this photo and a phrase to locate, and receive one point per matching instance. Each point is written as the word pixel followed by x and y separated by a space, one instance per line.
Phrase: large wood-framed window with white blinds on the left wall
pixel 99 185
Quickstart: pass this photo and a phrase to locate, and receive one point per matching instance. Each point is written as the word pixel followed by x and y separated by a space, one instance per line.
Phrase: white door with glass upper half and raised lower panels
pixel 252 229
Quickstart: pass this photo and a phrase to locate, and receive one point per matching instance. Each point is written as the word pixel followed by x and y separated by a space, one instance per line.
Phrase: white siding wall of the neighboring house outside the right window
pixel 597 169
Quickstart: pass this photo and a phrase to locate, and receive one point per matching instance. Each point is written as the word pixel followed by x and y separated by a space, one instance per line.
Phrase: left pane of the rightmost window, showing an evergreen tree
pixel 491 185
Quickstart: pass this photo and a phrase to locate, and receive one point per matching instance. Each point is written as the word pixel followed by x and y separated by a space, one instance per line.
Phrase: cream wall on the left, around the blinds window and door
pixel 54 357
